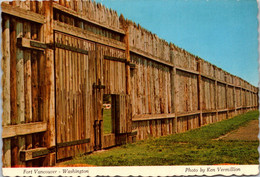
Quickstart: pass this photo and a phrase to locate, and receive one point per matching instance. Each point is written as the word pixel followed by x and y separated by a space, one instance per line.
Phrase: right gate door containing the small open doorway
pixel 114 78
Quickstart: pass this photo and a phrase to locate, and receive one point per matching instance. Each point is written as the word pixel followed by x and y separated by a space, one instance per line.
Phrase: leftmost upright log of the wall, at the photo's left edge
pixel 6 116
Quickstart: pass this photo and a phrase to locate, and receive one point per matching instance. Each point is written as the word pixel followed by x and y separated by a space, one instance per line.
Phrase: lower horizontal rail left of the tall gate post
pixel 23 129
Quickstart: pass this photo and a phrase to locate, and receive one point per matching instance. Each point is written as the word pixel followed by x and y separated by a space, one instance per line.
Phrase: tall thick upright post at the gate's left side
pixel 49 98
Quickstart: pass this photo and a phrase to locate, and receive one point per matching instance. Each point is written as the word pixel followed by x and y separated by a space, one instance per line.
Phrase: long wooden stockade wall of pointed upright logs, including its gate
pixel 59 58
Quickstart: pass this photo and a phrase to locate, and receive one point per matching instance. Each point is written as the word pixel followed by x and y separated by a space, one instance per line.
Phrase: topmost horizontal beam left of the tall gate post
pixel 21 13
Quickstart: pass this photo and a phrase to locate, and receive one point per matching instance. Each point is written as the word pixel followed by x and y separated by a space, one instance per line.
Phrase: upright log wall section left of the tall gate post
pixel 18 90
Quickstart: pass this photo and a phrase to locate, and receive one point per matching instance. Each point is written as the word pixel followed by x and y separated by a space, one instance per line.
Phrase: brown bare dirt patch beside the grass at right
pixel 249 132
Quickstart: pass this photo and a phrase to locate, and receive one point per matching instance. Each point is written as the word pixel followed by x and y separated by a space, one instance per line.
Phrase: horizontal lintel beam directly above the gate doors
pixel 78 32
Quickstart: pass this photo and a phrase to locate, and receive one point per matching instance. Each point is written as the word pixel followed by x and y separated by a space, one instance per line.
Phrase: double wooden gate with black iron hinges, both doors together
pixel 85 70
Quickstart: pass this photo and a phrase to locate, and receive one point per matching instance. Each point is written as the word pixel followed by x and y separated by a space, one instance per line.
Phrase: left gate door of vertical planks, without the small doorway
pixel 75 75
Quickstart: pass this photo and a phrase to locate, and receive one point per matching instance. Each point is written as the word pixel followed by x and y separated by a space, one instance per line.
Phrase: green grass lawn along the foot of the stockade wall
pixel 195 147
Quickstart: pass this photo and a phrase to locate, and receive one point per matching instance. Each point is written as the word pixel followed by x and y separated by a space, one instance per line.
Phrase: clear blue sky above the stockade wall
pixel 223 32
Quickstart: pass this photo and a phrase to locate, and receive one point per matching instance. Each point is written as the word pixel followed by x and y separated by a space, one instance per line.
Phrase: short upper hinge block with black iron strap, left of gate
pixel 31 44
